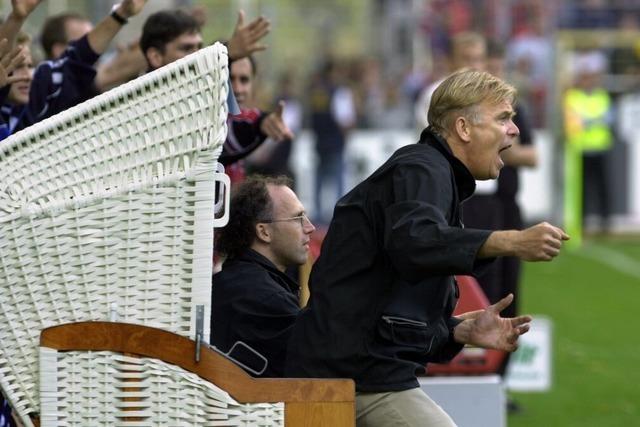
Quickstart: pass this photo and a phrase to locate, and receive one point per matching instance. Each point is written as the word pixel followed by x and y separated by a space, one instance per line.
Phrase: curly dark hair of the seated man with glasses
pixel 250 204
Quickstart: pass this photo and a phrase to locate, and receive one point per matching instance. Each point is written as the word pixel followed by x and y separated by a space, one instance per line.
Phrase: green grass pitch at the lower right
pixel 592 296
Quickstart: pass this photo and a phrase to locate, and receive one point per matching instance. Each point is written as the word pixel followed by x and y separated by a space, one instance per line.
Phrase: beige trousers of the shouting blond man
pixel 408 408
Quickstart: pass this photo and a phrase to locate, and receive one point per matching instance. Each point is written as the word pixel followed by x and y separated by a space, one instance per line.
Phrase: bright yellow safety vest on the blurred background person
pixel 586 124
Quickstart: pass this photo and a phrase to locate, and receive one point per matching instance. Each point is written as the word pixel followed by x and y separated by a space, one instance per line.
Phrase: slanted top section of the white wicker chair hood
pixel 148 128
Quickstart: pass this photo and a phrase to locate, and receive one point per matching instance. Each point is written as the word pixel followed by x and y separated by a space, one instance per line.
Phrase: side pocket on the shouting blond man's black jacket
pixel 405 332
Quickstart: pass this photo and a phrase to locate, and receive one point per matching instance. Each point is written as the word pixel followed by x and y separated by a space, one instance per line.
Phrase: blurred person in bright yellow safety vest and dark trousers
pixel 589 119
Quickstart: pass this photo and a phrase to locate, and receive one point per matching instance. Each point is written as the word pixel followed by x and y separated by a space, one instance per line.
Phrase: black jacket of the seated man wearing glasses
pixel 253 302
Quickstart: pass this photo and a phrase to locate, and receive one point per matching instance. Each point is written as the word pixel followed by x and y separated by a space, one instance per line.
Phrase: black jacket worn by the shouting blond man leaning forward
pixel 382 291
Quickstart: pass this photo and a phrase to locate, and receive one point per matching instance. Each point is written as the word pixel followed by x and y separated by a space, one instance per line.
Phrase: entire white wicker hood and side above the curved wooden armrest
pixel 106 211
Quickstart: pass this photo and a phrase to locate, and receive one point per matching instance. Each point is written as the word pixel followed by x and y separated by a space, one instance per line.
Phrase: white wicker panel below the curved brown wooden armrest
pixel 104 388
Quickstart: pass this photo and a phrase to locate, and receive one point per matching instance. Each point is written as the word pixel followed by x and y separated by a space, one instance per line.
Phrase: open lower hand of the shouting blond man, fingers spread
pixel 486 329
